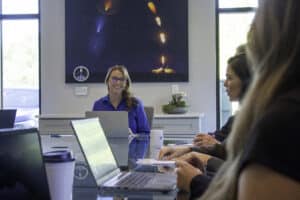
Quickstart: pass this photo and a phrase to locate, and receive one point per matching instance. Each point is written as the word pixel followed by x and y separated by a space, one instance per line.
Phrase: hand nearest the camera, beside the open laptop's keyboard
pixel 185 173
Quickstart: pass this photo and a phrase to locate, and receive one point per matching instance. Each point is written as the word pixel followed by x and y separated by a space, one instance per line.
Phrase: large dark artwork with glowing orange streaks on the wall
pixel 149 37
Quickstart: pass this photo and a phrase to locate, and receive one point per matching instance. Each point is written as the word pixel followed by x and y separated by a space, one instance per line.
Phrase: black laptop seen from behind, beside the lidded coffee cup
pixel 22 172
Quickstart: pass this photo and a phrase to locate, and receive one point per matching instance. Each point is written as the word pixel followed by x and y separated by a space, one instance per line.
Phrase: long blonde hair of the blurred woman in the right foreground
pixel 273 47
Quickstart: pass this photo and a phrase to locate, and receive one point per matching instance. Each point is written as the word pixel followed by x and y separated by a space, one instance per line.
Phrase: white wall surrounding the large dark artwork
pixel 58 98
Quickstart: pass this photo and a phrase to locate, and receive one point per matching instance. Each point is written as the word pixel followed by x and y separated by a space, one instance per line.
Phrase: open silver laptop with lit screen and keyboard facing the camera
pixel 103 166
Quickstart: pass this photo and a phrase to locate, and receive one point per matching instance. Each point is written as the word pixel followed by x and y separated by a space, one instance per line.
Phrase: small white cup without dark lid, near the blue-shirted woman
pixel 156 142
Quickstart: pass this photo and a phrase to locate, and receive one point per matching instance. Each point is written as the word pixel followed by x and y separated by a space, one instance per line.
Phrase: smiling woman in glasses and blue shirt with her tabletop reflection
pixel 119 98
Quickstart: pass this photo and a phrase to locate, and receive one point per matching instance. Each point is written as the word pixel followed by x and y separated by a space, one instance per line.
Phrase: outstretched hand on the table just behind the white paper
pixel 169 152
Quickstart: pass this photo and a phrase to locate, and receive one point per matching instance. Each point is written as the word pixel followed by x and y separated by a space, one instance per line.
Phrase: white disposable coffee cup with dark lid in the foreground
pixel 60 173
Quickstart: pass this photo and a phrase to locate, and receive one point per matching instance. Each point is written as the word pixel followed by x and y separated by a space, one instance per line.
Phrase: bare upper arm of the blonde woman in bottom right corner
pixel 260 183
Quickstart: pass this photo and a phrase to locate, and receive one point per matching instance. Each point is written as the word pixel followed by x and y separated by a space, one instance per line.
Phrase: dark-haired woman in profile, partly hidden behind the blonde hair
pixel 238 78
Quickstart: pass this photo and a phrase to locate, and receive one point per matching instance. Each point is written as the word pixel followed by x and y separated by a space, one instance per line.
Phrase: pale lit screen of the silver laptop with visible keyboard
pixel 95 147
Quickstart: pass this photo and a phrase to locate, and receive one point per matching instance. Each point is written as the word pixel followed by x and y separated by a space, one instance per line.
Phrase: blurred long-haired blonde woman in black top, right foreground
pixel 262 161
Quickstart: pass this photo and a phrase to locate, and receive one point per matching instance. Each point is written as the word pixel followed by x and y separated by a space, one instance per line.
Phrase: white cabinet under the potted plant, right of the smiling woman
pixel 179 126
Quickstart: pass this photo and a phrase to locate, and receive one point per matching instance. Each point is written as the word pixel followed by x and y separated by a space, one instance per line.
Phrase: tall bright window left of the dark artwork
pixel 20 57
